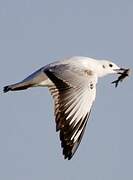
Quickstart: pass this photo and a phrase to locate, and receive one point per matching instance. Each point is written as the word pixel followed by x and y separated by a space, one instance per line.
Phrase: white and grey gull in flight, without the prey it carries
pixel 72 84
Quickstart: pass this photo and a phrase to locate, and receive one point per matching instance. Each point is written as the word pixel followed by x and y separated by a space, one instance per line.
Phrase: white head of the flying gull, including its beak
pixel 104 67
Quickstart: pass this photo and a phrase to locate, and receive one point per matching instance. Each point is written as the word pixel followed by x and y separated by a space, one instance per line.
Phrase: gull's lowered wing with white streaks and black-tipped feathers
pixel 73 93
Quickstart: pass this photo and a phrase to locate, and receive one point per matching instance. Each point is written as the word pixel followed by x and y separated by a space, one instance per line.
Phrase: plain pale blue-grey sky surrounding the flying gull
pixel 35 33
